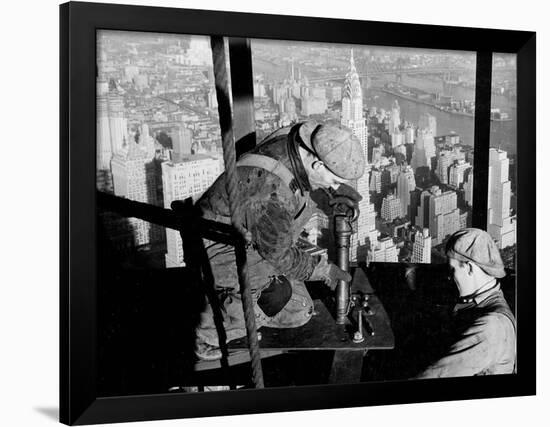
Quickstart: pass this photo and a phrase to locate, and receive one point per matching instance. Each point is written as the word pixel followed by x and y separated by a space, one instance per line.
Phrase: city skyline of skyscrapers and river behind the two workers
pixel 156 98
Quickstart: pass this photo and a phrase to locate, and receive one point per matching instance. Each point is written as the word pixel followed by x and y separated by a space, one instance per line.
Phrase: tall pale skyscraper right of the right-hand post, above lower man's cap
pixel 500 224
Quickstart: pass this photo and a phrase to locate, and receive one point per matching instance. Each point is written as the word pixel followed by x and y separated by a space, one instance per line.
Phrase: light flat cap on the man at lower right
pixel 477 246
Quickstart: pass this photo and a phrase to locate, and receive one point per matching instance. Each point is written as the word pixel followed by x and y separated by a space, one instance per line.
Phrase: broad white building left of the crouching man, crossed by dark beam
pixel 189 177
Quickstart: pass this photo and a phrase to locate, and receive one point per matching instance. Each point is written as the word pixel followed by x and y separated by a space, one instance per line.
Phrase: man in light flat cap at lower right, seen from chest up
pixel 484 340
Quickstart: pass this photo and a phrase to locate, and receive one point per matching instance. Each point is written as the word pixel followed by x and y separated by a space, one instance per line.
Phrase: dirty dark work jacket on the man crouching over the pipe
pixel 273 210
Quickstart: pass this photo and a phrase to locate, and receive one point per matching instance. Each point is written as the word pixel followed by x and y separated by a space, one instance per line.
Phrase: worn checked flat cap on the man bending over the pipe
pixel 336 146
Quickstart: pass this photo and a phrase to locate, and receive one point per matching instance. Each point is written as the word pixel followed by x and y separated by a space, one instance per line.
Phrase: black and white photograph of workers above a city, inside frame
pixel 353 195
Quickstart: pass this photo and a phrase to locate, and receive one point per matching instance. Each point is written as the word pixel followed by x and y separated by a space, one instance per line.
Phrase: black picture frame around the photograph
pixel 79 402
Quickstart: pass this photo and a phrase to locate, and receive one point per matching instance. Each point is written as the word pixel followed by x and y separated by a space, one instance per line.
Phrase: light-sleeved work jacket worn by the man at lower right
pixel 485 340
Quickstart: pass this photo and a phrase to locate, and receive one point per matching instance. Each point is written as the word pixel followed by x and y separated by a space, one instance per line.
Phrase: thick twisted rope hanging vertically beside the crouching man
pixel 229 157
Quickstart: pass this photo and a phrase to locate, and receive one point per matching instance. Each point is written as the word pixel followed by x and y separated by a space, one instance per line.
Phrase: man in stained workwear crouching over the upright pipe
pixel 274 204
